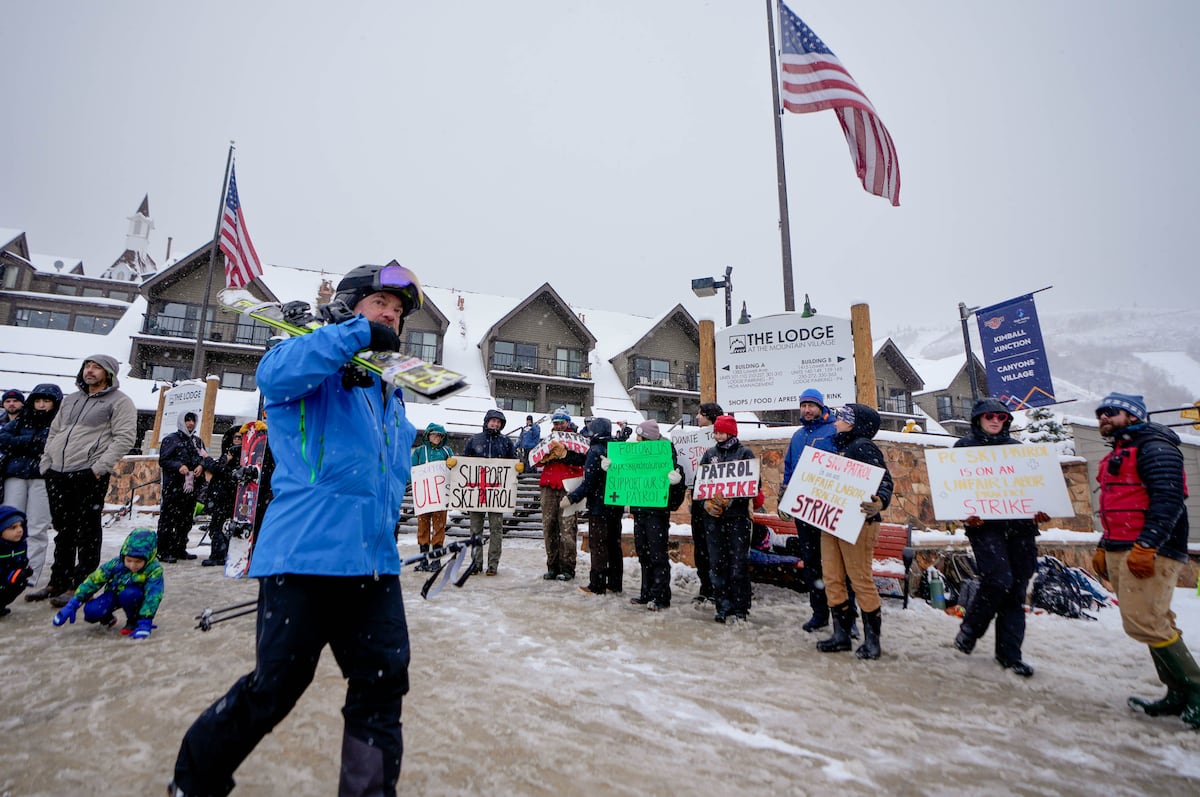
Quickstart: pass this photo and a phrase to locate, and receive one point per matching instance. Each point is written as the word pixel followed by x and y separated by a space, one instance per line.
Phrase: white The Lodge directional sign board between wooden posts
pixel 769 363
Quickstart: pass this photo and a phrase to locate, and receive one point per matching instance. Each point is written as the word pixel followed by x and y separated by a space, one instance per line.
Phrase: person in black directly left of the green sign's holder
pixel 607 572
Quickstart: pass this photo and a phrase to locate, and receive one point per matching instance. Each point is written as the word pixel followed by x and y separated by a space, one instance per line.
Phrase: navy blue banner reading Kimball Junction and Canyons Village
pixel 1013 355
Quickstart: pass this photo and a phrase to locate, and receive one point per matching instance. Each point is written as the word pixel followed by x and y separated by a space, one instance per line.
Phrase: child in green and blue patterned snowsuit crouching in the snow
pixel 131 582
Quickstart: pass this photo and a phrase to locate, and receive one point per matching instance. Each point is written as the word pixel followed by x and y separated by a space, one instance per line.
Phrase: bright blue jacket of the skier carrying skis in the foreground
pixel 343 460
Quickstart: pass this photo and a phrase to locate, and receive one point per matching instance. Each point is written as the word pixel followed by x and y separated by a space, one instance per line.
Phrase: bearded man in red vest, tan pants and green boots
pixel 1145 546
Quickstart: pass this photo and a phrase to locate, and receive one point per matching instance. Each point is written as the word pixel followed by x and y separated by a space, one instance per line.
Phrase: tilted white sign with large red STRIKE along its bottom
pixel 826 492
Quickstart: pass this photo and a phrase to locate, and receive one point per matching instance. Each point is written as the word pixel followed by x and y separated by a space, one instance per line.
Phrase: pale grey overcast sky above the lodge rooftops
pixel 619 149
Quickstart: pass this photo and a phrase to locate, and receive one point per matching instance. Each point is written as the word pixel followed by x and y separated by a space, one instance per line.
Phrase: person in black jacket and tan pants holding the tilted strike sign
pixel 856 424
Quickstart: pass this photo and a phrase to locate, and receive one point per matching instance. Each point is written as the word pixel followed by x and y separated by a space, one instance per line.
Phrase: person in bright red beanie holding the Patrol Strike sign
pixel 728 528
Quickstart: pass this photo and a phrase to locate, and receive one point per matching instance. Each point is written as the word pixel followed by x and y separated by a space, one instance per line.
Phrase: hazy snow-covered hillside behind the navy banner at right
pixel 1138 350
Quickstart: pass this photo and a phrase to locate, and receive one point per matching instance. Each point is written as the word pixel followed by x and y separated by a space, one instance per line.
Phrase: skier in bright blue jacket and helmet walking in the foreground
pixel 326 558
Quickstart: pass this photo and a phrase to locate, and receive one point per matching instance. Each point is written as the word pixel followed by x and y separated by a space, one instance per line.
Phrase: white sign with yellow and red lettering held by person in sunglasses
pixel 997 482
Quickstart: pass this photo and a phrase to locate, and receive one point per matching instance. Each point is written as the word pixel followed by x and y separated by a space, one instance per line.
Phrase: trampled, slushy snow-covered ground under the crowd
pixel 525 687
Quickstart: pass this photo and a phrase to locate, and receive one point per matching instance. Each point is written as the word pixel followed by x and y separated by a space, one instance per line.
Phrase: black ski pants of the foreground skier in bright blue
pixel 363 622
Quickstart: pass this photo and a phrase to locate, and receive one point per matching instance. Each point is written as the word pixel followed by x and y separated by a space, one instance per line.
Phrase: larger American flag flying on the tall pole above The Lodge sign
pixel 814 80
